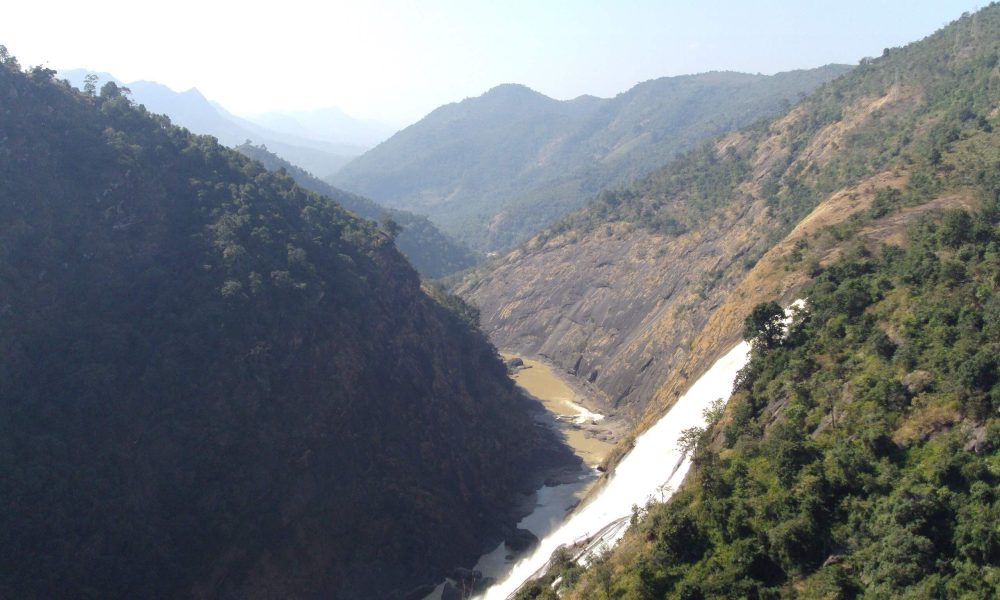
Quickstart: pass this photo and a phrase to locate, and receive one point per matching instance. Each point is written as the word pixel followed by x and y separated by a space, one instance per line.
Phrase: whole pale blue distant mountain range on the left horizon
pixel 319 141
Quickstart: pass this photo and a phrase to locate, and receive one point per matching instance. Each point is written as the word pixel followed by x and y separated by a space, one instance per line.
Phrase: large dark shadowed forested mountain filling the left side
pixel 216 384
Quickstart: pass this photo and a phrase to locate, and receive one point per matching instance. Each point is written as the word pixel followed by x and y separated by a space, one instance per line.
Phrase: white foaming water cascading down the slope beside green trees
pixel 652 469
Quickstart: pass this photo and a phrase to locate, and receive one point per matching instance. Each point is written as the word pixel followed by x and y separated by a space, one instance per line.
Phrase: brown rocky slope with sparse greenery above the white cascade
pixel 649 284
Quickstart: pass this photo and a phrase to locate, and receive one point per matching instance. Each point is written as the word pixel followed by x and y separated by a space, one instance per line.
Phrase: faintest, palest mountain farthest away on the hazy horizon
pixel 330 124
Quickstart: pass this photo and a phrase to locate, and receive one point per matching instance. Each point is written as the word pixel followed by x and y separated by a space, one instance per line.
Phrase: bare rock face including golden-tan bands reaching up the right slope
pixel 637 314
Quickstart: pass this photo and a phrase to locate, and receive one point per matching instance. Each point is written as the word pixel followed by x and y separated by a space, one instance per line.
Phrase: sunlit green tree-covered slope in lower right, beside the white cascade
pixel 858 454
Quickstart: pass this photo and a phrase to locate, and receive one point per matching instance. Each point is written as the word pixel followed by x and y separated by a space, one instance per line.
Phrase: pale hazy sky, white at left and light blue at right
pixel 396 60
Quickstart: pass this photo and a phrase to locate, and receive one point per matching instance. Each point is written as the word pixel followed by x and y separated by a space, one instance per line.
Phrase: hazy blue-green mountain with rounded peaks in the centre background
pixel 494 170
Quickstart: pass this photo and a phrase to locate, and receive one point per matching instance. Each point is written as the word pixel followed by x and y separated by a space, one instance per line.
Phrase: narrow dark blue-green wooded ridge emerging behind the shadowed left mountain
pixel 431 252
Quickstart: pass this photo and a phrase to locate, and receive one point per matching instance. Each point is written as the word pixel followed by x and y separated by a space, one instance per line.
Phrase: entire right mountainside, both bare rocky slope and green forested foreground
pixel 856 457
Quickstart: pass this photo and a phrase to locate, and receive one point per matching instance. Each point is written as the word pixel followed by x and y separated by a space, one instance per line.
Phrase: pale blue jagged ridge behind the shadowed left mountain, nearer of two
pixel 192 110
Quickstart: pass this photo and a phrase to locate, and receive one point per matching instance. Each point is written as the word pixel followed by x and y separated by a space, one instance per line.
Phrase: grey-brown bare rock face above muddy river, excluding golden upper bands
pixel 596 304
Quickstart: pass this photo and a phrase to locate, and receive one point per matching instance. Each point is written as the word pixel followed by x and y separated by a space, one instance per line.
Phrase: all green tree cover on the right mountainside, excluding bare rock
pixel 857 456
